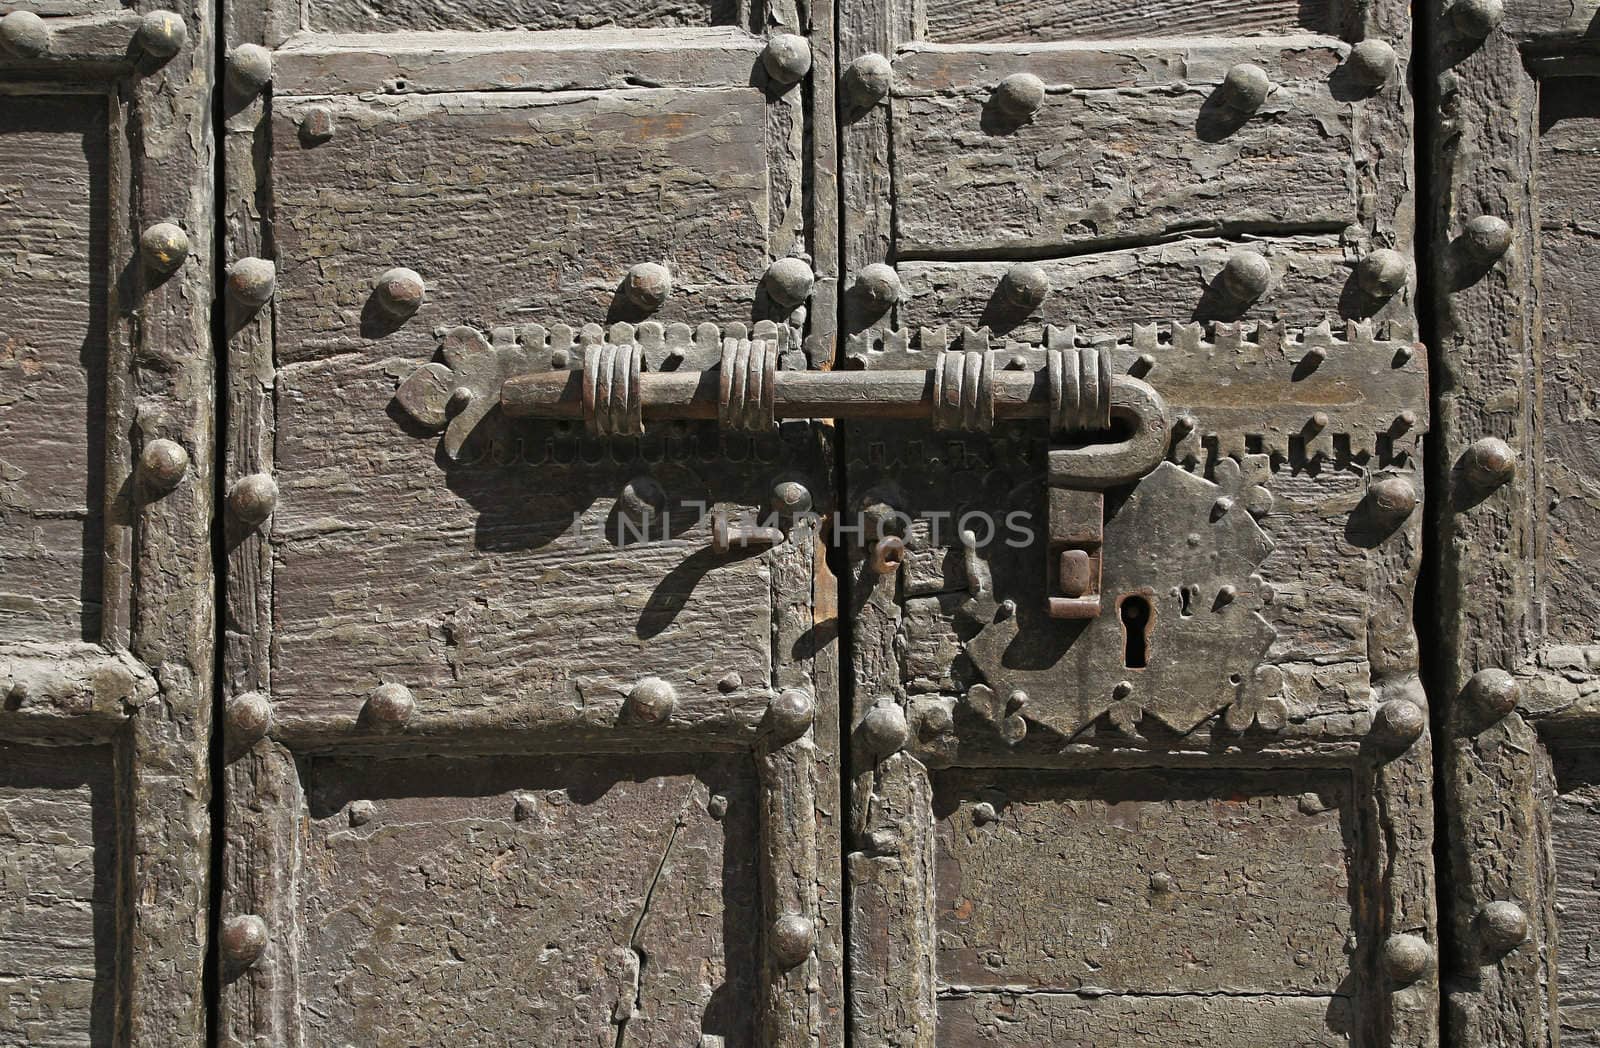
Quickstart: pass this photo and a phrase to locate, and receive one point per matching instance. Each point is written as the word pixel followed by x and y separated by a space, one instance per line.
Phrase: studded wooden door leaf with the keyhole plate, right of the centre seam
pixel 1140 746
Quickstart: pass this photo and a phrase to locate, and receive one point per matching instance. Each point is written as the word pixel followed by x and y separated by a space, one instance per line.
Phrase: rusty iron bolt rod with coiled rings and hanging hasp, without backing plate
pixel 1113 428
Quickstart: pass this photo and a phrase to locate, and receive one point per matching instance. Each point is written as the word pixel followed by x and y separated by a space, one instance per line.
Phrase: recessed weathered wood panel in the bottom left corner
pixel 58 897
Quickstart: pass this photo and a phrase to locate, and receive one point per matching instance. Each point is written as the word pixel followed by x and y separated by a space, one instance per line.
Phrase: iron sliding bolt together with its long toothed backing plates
pixel 1241 396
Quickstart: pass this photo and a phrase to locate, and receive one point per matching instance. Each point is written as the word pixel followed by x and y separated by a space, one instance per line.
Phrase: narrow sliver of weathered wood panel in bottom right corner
pixel 1575 841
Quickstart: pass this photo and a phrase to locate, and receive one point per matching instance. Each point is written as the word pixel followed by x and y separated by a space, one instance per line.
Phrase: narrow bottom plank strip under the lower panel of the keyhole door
pixel 1182 1022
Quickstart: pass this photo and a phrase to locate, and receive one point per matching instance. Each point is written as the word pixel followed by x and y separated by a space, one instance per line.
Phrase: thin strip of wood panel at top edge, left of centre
pixel 367 17
